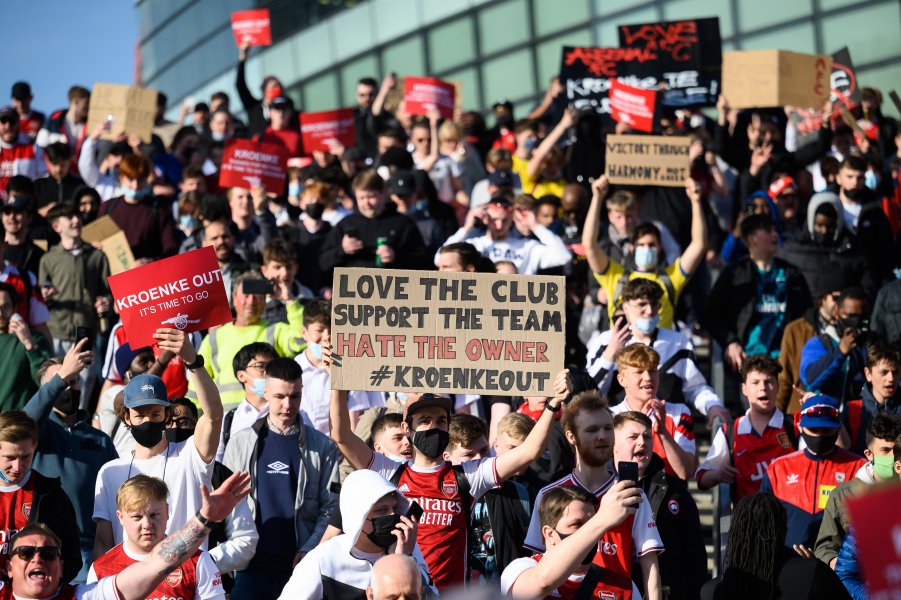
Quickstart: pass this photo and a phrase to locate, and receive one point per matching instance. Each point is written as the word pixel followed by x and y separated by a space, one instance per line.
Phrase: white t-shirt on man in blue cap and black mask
pixel 180 466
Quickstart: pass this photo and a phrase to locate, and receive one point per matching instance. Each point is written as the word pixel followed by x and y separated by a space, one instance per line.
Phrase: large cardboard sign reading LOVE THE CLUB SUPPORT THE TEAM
pixel 425 331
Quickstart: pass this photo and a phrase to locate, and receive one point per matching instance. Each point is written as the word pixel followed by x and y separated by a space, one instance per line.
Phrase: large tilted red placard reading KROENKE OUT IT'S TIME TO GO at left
pixel 183 292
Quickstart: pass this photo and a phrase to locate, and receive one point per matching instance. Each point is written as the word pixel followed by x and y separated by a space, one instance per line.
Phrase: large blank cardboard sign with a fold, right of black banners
pixel 768 78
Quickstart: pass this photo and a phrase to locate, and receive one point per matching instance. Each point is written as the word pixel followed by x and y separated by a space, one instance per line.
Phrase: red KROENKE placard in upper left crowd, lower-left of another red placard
pixel 246 163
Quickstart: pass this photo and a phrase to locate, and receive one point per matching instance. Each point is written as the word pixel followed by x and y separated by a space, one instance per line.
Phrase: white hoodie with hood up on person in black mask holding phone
pixel 335 569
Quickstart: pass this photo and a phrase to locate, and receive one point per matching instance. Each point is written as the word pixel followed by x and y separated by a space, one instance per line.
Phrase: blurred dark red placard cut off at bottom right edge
pixel 877 526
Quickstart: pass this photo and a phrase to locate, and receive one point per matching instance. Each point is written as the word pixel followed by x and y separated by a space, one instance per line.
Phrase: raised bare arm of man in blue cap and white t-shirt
pixel 209 425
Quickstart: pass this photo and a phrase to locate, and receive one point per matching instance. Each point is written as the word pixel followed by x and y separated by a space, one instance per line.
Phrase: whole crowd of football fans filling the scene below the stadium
pixel 783 255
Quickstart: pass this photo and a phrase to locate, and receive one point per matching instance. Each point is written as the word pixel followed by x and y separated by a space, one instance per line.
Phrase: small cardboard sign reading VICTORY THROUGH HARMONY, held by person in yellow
pixel 648 160
